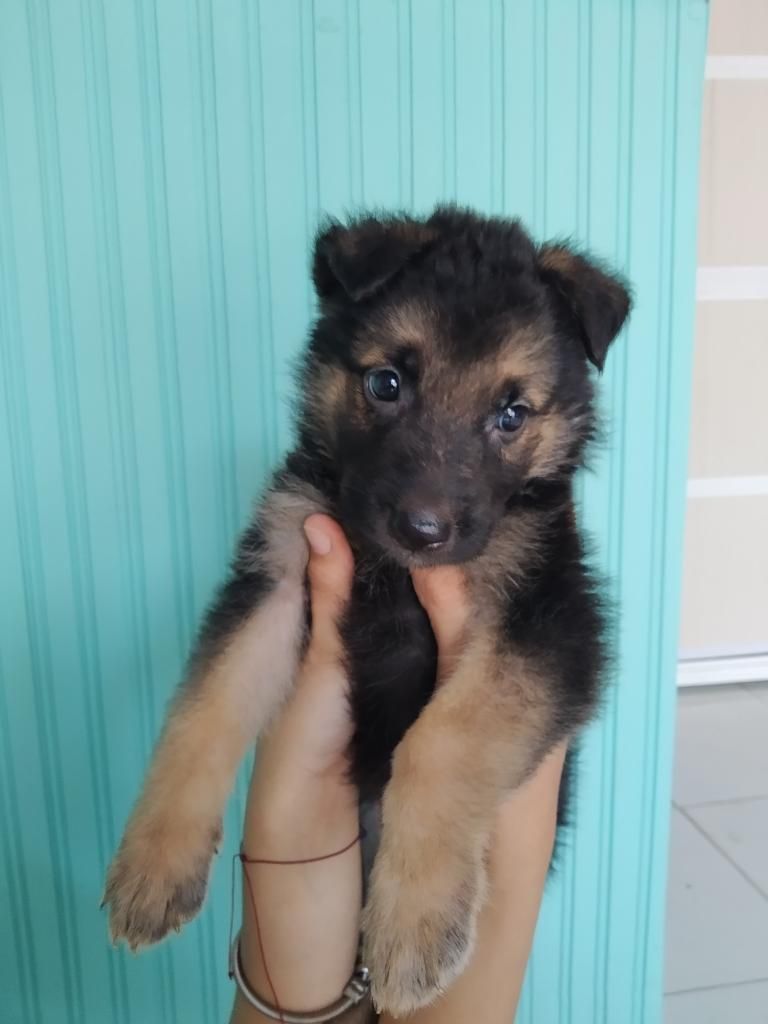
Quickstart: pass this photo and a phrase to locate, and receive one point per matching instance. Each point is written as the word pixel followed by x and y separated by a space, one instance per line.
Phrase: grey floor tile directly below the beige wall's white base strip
pixel 721 751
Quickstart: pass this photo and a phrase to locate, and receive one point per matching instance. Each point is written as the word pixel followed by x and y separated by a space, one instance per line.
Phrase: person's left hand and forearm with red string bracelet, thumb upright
pixel 303 805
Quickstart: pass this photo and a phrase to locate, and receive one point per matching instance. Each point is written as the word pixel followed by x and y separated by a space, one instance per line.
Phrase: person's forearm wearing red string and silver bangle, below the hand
pixel 309 915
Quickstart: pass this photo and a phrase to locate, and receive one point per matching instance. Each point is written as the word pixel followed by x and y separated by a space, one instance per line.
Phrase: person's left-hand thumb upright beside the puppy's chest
pixel 331 569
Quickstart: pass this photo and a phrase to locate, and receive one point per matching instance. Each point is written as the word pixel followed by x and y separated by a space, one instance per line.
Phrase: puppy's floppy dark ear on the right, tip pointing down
pixel 598 302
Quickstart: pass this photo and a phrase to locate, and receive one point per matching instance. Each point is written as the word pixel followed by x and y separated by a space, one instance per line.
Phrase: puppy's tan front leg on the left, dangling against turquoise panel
pixel 242 670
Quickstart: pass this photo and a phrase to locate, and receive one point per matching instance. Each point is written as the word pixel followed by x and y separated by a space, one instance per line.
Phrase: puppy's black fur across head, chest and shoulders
pixel 483 280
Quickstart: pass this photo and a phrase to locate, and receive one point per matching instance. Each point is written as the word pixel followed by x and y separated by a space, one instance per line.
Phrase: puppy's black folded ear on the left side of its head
pixel 356 263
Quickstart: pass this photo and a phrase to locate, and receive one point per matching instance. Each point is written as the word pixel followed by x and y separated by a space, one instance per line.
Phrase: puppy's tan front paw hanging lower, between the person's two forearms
pixel 419 928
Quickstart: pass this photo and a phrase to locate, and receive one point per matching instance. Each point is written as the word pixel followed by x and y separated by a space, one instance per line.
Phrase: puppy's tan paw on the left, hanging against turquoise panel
pixel 158 880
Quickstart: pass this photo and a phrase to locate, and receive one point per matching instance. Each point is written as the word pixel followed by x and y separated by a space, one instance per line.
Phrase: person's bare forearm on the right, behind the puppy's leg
pixel 490 988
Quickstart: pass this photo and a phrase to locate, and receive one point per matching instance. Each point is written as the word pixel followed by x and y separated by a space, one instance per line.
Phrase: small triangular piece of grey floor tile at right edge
pixel 741 830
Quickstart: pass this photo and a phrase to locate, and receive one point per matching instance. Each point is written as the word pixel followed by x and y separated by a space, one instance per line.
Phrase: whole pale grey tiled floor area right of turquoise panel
pixel 717 921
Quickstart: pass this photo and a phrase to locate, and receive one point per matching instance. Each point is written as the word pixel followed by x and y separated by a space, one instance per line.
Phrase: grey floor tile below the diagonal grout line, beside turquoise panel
pixel 717 924
